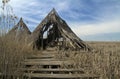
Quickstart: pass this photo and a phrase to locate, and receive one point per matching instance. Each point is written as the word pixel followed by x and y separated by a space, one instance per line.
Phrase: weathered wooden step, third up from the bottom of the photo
pixel 48 62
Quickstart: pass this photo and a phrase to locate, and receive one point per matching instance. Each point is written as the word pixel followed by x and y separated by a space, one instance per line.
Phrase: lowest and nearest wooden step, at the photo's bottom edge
pixel 60 76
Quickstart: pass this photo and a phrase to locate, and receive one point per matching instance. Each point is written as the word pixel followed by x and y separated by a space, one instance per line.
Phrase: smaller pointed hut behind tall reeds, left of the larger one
pixel 20 31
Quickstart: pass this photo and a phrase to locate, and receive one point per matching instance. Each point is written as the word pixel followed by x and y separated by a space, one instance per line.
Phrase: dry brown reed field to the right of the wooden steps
pixel 104 62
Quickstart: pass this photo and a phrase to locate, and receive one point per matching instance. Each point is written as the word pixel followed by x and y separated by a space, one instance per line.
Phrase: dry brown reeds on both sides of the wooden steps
pixel 104 61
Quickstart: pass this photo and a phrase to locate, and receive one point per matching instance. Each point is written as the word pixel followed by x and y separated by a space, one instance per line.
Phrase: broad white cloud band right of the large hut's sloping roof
pixel 98 28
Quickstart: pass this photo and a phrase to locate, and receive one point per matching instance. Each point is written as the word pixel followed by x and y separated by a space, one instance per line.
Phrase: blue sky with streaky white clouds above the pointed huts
pixel 92 20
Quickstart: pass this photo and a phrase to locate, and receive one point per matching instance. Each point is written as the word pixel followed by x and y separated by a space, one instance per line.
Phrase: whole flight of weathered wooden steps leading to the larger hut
pixel 47 66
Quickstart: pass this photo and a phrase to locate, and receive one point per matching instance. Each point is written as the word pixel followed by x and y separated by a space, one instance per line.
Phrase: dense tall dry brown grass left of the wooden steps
pixel 12 53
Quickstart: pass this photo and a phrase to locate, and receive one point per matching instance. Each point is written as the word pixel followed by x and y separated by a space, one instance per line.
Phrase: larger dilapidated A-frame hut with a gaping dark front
pixel 53 31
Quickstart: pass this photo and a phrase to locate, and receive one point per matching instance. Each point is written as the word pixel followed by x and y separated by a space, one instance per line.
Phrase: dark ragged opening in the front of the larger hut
pixel 50 36
